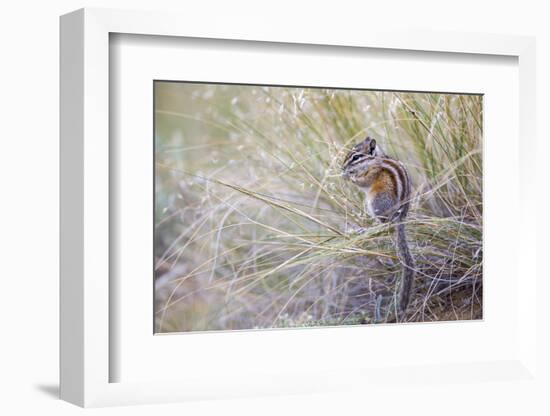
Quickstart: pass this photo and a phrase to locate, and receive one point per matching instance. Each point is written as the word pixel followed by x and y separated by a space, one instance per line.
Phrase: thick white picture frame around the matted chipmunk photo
pixel 87 356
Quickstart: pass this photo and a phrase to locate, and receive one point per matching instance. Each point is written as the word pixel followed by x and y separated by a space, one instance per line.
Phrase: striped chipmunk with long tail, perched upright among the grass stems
pixel 387 188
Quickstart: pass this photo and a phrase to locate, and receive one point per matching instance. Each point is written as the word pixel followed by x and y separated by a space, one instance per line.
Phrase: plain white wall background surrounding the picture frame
pixel 29 181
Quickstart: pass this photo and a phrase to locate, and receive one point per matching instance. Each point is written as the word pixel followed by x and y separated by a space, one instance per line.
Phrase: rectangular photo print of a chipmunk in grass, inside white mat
pixel 288 206
